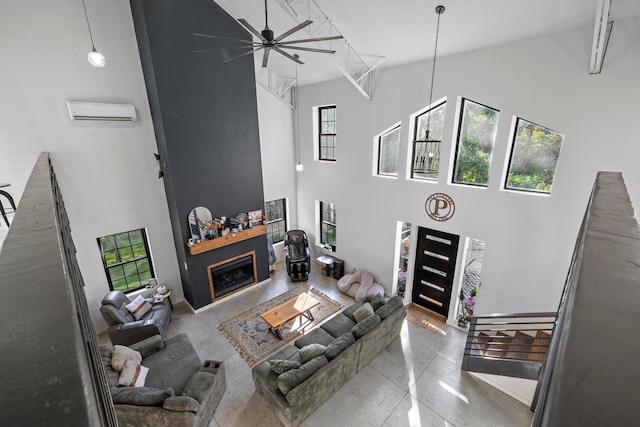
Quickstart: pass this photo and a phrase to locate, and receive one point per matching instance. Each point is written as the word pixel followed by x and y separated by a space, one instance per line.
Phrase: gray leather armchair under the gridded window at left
pixel 124 329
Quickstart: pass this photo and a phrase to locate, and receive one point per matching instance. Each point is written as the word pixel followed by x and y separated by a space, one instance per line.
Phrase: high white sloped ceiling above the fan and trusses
pixel 403 31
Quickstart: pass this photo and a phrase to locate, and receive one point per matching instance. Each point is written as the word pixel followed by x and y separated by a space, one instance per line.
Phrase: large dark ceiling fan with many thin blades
pixel 268 42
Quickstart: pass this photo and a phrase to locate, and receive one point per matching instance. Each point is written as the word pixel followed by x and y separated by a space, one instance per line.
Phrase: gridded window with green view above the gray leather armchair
pixel 126 259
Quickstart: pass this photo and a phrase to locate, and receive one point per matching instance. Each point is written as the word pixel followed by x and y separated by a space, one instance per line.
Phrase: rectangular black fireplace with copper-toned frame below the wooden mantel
pixel 232 274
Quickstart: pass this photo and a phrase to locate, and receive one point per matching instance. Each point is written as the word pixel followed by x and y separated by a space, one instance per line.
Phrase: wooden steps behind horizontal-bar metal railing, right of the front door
pixel 514 345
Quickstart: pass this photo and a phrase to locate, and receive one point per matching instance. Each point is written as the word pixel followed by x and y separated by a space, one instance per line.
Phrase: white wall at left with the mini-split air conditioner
pixel 106 171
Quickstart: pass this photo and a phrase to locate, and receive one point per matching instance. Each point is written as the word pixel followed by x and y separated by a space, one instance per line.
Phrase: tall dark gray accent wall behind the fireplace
pixel 206 124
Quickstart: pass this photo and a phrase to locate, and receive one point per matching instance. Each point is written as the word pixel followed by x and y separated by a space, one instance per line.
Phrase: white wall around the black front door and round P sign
pixel 529 239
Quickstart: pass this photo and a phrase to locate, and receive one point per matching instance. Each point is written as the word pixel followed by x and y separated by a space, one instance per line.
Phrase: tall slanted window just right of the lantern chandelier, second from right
pixel 476 136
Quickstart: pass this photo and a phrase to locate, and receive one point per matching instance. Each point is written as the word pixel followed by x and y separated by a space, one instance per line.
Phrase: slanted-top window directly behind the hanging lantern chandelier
pixel 426 147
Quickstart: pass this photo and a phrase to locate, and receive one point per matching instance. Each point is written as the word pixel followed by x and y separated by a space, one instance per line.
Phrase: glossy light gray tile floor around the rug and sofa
pixel 416 381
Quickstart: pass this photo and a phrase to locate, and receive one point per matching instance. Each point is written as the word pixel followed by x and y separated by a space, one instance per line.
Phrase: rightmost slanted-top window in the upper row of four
pixel 534 156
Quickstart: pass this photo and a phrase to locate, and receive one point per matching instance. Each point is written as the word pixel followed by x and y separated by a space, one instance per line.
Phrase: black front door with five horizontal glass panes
pixel 435 265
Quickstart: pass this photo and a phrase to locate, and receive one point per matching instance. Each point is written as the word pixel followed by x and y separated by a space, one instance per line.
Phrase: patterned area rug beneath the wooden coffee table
pixel 250 335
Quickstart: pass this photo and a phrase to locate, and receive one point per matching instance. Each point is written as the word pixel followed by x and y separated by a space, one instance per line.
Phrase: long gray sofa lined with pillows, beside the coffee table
pixel 350 342
